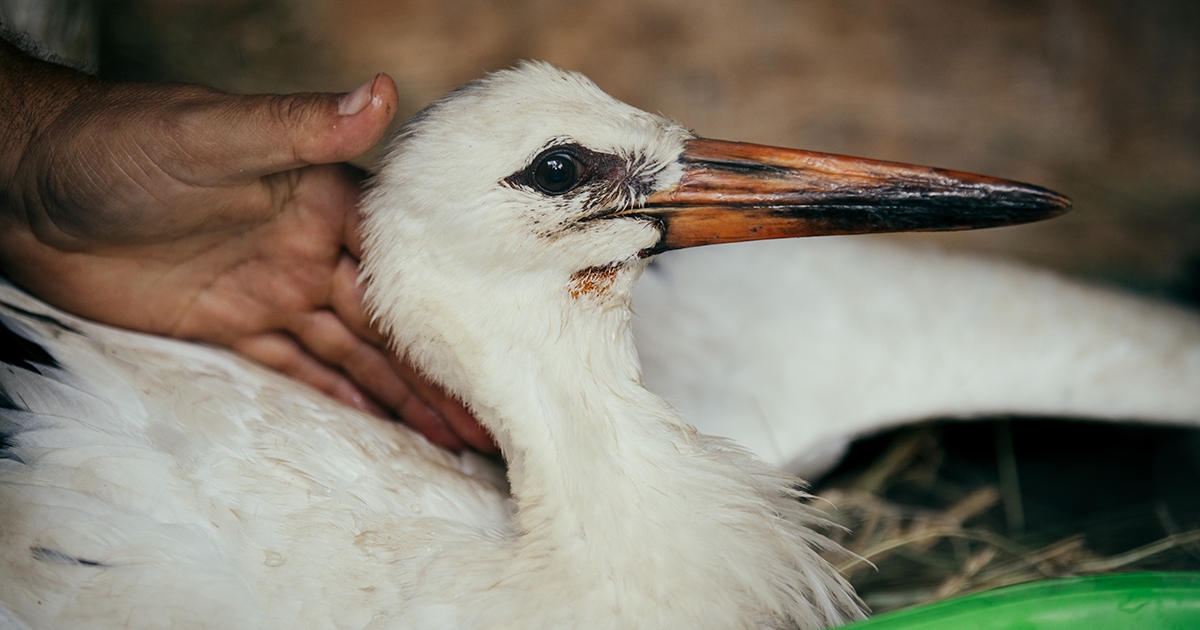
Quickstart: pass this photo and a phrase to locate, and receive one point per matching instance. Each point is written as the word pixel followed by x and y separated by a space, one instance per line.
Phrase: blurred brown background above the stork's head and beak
pixel 1097 99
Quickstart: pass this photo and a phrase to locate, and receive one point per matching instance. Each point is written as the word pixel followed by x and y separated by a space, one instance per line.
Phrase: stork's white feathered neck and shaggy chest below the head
pixel 621 506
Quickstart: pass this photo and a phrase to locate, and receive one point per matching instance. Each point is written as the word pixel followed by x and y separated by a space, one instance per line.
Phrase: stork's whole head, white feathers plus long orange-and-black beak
pixel 530 196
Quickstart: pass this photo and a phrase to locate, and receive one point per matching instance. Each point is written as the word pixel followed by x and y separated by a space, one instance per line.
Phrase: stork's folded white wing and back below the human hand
pixel 158 483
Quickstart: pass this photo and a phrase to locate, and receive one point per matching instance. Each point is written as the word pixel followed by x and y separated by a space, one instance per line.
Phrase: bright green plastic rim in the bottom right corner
pixel 1143 602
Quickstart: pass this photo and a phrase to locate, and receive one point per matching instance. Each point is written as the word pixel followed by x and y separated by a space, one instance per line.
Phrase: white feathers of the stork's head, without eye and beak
pixel 457 251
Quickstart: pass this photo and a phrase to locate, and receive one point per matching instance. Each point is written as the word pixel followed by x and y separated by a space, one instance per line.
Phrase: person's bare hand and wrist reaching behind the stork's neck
pixel 200 215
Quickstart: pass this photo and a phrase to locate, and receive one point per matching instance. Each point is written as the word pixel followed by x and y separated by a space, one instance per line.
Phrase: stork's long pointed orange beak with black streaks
pixel 735 193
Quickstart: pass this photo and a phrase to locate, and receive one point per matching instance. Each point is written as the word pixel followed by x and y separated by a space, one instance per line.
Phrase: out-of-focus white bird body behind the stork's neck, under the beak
pixel 841 338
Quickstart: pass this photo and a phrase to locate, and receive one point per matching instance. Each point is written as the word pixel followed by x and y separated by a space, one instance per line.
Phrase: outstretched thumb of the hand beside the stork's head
pixel 272 134
